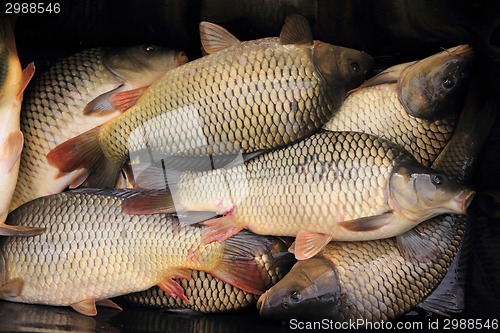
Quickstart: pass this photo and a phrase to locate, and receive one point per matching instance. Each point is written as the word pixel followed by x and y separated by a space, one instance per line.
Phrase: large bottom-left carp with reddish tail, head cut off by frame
pixel 92 251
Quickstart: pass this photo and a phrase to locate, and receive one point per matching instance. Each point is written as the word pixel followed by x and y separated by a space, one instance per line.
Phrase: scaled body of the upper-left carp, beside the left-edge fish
pixel 41 126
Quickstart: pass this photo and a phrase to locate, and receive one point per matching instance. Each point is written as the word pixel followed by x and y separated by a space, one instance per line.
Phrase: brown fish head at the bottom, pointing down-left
pixel 310 290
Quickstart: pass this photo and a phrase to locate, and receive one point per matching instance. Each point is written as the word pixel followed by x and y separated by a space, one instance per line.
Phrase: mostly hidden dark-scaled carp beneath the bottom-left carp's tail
pixel 211 295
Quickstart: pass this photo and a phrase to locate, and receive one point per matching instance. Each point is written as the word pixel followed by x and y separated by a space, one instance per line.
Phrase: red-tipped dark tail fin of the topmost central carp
pixel 85 152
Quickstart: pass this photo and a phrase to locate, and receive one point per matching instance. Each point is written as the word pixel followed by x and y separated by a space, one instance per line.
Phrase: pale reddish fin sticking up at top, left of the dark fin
pixel 215 38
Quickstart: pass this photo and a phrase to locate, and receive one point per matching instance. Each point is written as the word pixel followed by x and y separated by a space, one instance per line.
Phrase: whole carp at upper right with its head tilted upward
pixel 414 105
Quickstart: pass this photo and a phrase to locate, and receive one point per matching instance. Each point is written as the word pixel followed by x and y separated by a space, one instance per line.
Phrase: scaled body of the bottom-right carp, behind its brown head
pixel 393 285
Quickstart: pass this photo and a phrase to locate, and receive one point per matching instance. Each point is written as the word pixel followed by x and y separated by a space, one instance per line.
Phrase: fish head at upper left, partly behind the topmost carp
pixel 142 64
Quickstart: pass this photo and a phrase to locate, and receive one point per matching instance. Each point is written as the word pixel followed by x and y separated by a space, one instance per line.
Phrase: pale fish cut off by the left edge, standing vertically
pixel 13 81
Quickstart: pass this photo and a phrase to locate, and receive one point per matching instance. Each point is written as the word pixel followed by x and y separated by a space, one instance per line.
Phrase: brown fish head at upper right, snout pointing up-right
pixel 431 88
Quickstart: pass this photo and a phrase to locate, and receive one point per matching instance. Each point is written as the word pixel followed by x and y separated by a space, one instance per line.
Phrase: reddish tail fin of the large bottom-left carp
pixel 238 266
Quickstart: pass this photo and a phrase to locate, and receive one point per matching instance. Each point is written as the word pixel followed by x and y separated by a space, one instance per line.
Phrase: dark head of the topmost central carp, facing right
pixel 342 68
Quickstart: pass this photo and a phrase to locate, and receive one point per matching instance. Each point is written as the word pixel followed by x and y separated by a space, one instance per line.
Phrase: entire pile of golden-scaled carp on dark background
pixel 276 172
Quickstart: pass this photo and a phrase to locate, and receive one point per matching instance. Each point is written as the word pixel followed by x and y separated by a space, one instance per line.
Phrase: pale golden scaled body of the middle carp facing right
pixel 317 170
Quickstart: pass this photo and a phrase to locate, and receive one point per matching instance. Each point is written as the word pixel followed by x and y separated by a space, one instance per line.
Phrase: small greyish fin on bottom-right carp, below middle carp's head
pixel 414 248
